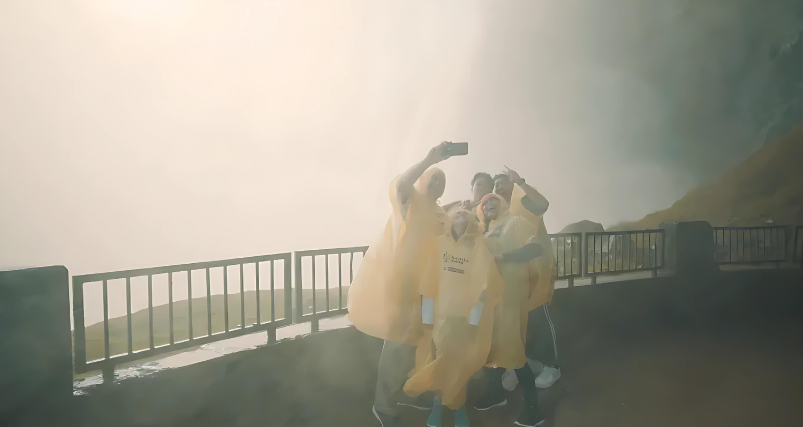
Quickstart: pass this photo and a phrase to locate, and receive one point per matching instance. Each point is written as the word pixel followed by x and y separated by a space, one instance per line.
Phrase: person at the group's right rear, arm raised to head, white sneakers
pixel 541 345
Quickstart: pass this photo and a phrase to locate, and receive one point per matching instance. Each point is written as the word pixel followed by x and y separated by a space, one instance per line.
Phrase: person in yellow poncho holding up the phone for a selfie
pixel 385 295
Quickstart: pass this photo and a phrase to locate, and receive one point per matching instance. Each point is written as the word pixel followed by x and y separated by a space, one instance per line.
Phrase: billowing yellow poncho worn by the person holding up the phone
pixel 384 299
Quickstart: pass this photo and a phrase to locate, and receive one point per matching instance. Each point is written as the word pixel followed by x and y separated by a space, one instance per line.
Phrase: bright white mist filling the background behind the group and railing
pixel 155 132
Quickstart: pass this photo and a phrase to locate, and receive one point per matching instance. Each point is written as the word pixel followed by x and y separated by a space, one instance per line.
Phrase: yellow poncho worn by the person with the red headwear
pixel 505 234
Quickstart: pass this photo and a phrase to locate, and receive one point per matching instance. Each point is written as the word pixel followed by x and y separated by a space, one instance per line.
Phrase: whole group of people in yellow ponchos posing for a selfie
pixel 458 289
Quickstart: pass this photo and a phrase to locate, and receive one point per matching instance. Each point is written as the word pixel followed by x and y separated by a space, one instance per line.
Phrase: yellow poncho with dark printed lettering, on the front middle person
pixel 453 350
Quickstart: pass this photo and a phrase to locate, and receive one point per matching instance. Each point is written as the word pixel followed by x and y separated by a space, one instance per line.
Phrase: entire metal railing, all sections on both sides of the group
pixel 577 254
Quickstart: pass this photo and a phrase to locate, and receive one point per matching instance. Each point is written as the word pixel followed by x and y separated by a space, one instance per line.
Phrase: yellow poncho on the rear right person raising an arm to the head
pixel 543 271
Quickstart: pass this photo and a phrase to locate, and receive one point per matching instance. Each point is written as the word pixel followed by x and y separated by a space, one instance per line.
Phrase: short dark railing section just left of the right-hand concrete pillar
pixel 624 251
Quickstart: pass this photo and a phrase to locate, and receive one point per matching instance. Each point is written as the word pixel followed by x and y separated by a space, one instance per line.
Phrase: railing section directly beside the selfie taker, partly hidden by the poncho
pixel 309 309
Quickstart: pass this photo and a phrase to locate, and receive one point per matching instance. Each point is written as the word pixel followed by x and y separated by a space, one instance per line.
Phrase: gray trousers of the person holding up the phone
pixel 395 364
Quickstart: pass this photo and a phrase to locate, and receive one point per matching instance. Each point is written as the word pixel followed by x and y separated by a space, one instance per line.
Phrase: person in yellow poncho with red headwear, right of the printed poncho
pixel 505 233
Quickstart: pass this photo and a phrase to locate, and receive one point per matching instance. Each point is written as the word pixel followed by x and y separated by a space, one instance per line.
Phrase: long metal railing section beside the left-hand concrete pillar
pixel 109 359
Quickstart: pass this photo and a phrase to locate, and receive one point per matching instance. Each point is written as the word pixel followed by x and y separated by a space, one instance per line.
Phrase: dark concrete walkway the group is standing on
pixel 716 374
